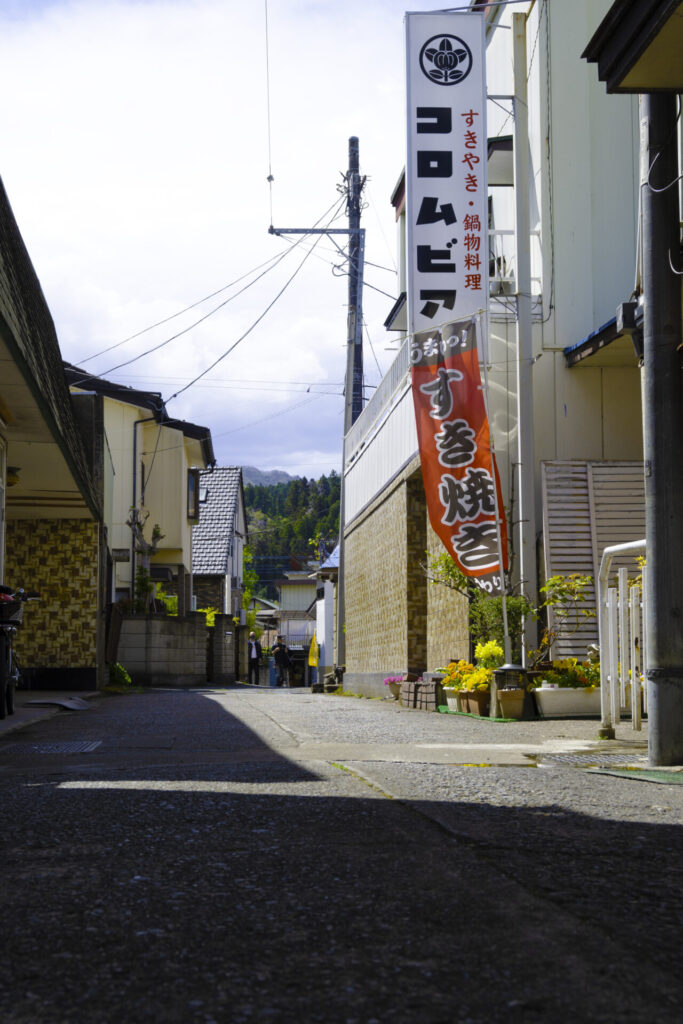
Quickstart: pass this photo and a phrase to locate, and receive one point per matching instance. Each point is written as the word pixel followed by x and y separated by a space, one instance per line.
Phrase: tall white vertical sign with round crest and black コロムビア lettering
pixel 446 172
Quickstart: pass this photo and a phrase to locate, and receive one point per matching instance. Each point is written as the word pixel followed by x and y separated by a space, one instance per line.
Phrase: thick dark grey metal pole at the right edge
pixel 663 428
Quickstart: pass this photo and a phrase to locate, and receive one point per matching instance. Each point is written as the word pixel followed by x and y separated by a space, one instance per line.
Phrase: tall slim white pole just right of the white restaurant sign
pixel 526 447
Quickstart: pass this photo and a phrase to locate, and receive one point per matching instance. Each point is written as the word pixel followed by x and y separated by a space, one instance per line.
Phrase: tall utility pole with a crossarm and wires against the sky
pixel 354 382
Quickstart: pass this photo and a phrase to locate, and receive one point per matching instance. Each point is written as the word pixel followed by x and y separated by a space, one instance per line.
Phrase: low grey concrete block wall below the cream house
pixel 164 651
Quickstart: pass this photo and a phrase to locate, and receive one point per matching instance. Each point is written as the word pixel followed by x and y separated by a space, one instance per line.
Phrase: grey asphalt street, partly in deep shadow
pixel 254 856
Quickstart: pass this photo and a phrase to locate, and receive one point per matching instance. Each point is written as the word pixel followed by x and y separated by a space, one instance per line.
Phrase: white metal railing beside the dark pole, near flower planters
pixel 622 621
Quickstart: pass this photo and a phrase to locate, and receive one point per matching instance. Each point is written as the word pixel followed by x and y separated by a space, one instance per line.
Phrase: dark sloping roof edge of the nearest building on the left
pixel 33 343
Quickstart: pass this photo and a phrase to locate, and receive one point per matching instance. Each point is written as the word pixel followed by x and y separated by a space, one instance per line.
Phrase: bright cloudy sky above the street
pixel 135 150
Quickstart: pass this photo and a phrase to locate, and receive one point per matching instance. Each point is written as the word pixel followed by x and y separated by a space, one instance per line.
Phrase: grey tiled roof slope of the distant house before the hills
pixel 221 493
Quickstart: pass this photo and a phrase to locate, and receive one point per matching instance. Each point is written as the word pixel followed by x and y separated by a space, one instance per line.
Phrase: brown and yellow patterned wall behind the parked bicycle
pixel 59 644
